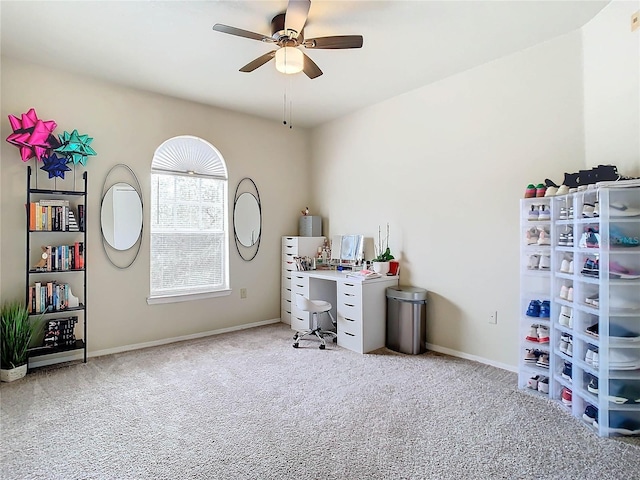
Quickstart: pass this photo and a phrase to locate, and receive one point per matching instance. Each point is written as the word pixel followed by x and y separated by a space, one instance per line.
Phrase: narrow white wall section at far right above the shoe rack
pixel 612 88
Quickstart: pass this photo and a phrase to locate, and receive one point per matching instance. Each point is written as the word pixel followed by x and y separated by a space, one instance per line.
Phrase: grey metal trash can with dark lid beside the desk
pixel 406 319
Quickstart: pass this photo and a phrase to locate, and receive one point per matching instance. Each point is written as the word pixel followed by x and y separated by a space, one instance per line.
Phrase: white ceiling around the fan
pixel 169 47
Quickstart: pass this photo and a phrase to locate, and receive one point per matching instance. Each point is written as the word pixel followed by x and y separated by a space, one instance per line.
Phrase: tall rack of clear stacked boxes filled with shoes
pixel 618 305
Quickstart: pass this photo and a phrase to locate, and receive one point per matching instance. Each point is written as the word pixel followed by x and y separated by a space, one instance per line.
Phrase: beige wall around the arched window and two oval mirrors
pixel 127 127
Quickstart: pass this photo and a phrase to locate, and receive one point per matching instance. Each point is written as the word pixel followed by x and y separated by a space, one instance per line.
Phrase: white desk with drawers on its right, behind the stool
pixel 358 307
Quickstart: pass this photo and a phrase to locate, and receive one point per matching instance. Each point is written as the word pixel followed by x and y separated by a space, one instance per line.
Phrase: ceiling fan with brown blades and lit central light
pixel 287 32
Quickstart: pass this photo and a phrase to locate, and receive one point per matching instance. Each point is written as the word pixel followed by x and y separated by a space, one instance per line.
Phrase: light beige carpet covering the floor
pixel 246 405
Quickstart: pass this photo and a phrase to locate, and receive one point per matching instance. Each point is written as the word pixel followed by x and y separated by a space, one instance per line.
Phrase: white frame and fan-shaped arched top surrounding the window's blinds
pixel 192 156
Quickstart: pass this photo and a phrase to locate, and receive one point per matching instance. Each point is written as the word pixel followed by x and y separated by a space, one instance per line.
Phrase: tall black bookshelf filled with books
pixel 56 276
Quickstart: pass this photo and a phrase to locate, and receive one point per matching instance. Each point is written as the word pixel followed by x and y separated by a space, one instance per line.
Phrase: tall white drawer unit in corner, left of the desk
pixel 294 247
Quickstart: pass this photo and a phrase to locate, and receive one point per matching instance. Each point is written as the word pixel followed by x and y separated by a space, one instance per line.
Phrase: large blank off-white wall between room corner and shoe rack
pixel 446 166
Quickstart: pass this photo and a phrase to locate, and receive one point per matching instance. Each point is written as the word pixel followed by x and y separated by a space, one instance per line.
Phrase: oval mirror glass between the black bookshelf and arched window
pixel 121 216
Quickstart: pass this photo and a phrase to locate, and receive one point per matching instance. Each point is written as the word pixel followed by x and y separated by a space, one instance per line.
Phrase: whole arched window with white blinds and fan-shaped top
pixel 189 224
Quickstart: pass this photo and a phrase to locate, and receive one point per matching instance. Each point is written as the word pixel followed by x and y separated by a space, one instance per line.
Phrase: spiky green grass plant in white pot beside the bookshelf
pixel 16 332
